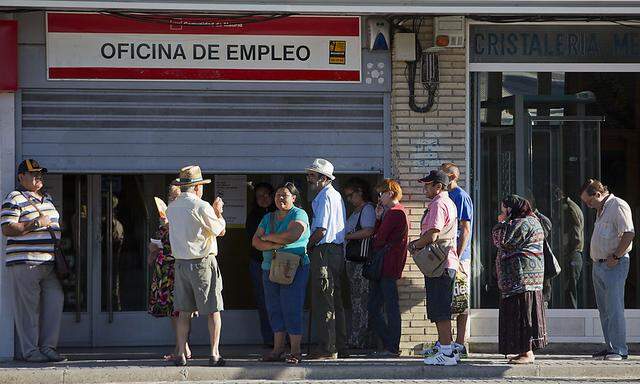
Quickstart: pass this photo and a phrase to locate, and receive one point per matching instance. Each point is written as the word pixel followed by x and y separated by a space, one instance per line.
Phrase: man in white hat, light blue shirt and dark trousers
pixel 327 261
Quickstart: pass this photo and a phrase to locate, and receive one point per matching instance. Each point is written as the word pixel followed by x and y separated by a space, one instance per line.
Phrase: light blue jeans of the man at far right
pixel 608 284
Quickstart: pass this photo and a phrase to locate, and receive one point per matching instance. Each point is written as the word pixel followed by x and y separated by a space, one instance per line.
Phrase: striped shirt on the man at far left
pixel 35 247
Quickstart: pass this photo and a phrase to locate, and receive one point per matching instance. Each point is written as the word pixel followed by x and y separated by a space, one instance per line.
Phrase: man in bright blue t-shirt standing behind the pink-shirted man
pixel 465 229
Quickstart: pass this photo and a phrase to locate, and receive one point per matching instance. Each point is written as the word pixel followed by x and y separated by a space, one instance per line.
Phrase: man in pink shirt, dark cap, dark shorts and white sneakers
pixel 440 223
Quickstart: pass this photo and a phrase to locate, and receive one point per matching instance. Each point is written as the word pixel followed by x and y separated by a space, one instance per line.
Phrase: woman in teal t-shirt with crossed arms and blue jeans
pixel 284 303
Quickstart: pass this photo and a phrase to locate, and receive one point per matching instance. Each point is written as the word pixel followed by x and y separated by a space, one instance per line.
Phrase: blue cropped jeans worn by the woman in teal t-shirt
pixel 285 302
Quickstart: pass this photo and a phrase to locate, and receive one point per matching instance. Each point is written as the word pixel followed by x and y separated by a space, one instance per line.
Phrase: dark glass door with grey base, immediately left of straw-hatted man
pixel 126 220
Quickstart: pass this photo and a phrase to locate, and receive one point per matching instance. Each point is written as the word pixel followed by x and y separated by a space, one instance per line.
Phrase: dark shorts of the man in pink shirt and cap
pixel 440 295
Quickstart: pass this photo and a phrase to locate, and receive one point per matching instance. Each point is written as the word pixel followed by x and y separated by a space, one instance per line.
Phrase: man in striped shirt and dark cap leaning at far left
pixel 29 220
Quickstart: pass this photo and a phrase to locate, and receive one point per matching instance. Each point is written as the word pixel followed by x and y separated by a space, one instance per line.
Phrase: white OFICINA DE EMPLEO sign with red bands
pixel 93 46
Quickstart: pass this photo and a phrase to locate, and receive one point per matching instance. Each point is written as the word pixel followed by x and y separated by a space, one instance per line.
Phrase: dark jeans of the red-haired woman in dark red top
pixel 384 293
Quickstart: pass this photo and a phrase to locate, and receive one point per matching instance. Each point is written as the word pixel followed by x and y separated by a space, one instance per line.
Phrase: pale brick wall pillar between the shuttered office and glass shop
pixel 421 142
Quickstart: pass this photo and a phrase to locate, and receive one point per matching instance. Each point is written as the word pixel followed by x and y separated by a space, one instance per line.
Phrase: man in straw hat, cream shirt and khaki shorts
pixel 195 224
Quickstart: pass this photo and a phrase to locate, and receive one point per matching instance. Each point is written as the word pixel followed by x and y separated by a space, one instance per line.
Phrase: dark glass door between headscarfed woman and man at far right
pixel 565 152
